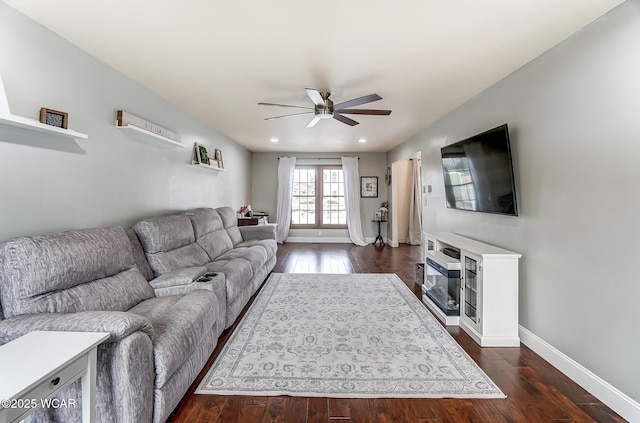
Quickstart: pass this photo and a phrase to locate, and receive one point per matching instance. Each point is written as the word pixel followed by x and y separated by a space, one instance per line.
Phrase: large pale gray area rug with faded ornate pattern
pixel 344 336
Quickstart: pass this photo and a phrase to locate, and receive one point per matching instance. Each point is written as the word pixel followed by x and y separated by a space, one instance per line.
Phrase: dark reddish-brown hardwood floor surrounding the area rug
pixel 536 391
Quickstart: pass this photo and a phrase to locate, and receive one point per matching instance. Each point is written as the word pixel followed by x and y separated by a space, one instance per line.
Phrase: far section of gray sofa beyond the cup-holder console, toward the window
pixel 208 240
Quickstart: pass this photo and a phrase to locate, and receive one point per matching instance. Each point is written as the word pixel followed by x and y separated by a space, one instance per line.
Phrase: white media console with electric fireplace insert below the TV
pixel 477 291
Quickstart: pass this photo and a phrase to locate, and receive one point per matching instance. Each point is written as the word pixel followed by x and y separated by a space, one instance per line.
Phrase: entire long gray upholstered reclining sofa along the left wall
pixel 164 291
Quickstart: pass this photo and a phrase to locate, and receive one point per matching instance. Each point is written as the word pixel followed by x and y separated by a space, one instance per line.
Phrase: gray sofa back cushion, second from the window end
pixel 209 231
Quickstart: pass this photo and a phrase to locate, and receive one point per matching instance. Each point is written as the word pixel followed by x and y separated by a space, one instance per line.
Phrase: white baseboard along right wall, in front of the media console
pixel 615 399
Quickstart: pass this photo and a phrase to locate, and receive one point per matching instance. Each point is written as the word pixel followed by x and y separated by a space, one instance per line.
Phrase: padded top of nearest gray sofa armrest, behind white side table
pixel 118 324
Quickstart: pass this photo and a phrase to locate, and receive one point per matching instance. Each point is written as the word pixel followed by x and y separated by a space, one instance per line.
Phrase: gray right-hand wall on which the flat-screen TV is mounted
pixel 575 126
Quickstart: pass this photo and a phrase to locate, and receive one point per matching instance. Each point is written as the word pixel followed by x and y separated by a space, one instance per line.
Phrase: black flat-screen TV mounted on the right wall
pixel 478 174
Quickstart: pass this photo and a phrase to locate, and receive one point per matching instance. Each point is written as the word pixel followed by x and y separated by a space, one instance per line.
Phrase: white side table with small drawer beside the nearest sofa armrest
pixel 37 366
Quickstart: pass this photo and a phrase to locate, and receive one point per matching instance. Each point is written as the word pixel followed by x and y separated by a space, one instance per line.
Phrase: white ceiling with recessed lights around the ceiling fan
pixel 217 59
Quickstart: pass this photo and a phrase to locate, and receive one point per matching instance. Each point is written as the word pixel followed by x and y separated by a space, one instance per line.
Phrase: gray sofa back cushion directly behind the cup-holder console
pixel 169 243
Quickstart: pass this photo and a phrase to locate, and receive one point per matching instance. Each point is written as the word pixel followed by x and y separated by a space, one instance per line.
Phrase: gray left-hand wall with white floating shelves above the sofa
pixel 48 185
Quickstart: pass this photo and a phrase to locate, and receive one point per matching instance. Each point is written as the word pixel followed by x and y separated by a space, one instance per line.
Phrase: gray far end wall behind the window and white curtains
pixel 265 189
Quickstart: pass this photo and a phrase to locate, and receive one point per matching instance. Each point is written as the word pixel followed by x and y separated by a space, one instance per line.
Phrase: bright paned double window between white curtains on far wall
pixel 318 197
